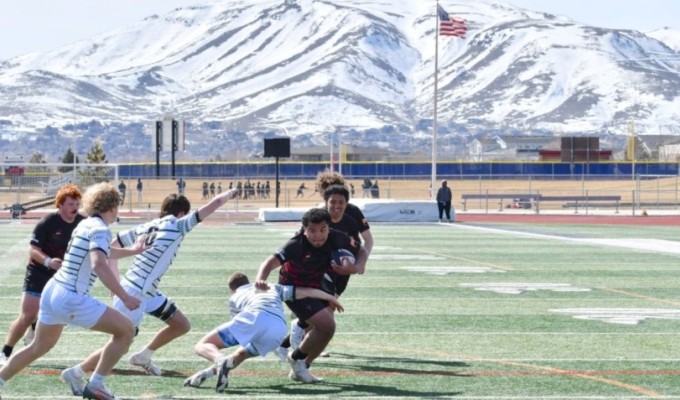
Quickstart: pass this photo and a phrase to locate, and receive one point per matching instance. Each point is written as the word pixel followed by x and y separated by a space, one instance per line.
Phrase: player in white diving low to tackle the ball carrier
pixel 257 326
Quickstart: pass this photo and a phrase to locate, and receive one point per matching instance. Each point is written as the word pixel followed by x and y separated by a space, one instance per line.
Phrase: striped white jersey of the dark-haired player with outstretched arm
pixel 165 236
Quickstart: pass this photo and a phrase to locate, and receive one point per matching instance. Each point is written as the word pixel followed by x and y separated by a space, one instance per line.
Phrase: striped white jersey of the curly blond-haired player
pixel 76 273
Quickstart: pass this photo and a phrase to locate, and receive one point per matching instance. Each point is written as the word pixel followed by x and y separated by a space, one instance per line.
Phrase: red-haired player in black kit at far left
pixel 47 247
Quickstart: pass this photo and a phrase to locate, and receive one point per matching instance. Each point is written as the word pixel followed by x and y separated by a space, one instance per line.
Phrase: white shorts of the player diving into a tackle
pixel 263 331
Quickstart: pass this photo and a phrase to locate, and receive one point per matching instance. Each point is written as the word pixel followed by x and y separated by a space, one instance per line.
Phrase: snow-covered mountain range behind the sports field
pixel 313 66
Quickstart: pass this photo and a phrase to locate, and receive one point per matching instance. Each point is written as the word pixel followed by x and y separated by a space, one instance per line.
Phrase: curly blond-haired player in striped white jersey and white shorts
pixel 66 299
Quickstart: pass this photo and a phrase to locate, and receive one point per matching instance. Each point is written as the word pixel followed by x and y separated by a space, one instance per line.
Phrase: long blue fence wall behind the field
pixel 452 170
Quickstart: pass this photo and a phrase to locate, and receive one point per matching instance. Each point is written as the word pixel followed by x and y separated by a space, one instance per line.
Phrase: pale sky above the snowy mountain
pixel 38 25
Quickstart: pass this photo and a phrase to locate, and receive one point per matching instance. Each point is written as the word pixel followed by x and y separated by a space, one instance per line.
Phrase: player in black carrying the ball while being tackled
pixel 304 260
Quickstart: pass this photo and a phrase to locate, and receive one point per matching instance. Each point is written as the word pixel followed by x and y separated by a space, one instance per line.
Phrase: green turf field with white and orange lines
pixel 503 311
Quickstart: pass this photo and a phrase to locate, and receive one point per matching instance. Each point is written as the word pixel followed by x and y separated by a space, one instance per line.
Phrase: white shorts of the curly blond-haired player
pixel 60 306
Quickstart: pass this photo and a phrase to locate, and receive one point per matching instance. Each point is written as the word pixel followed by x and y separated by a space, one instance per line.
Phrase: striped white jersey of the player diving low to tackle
pixel 248 298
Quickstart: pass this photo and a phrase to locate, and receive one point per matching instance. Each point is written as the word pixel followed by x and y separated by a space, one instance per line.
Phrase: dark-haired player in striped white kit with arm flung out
pixel 163 236
